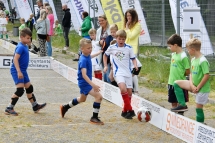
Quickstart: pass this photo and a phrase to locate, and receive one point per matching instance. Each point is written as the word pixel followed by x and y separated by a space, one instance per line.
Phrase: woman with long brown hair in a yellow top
pixel 132 28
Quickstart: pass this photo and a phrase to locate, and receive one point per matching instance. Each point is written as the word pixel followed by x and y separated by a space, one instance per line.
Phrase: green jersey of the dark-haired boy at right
pixel 178 66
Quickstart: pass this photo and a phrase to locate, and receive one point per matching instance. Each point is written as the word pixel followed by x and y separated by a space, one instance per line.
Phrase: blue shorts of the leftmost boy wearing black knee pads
pixel 23 80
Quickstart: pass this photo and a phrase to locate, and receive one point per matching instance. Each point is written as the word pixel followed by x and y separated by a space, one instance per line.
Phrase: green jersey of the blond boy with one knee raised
pixel 200 67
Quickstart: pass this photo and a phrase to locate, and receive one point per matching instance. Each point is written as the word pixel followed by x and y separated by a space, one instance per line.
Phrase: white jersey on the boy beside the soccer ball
pixel 121 59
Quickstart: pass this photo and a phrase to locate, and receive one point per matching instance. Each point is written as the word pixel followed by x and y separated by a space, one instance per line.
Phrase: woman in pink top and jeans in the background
pixel 50 16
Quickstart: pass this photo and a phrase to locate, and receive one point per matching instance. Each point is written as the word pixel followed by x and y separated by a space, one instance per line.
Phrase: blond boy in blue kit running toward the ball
pixel 85 82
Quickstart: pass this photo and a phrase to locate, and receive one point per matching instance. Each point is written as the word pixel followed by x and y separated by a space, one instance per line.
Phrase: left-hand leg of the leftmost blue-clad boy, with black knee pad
pixel 15 97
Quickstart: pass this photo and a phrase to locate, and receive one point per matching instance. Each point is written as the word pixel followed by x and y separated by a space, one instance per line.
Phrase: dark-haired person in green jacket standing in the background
pixel 86 26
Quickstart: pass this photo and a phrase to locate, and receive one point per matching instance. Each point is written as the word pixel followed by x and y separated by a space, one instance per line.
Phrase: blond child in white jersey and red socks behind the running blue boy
pixel 96 61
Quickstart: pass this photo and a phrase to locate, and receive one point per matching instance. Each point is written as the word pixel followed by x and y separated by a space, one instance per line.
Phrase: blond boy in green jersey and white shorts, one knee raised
pixel 199 80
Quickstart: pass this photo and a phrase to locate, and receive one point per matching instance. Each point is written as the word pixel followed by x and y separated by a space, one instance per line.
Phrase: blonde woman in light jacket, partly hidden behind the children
pixel 101 34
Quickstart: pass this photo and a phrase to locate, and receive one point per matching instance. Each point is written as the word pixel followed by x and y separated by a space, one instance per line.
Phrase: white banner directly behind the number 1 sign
pixel 202 35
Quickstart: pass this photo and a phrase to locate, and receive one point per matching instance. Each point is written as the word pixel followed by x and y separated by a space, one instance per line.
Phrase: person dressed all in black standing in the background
pixel 66 24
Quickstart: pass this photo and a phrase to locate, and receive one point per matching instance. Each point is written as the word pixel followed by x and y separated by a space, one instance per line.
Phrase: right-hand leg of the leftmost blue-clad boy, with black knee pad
pixel 29 92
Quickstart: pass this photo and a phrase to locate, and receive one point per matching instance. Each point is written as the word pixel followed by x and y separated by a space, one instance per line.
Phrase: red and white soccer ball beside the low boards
pixel 144 114
